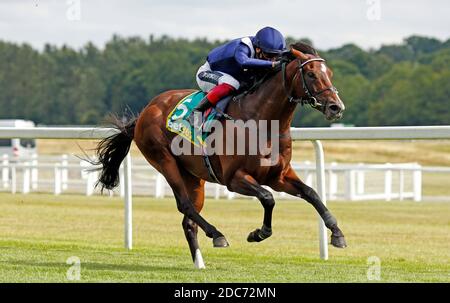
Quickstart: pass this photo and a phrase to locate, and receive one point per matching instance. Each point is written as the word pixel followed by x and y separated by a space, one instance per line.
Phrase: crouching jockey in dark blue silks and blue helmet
pixel 227 65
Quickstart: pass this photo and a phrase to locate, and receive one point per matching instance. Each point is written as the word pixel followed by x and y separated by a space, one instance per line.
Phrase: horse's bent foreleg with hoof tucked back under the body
pixel 246 185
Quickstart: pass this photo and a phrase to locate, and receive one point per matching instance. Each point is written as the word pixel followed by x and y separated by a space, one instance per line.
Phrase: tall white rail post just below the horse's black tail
pixel 128 202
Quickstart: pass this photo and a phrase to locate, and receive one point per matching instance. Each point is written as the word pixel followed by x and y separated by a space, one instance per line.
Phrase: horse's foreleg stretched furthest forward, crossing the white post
pixel 292 185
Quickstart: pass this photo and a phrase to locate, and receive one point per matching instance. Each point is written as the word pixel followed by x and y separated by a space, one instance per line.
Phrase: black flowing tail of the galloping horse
pixel 112 150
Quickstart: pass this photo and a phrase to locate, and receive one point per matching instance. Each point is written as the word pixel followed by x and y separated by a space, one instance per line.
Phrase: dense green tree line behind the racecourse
pixel 401 84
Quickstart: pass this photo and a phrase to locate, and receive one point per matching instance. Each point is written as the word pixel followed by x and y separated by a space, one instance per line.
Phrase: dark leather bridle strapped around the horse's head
pixel 310 97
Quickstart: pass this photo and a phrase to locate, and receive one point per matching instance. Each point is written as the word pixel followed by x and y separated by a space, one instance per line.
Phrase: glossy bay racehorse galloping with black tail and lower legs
pixel 304 78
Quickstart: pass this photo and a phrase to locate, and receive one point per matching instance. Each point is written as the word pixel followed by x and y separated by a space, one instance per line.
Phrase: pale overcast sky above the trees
pixel 329 23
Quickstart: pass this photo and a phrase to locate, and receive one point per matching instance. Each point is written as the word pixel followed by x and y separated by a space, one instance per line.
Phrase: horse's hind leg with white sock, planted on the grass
pixel 195 188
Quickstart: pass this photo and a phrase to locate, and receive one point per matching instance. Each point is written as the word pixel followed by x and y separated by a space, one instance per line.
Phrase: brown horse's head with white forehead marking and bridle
pixel 311 83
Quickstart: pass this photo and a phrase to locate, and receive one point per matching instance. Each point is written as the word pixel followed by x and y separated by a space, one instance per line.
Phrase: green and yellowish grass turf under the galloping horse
pixel 39 232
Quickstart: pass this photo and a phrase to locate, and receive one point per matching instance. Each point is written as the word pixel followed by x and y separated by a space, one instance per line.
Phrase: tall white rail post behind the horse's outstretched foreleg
pixel 320 175
